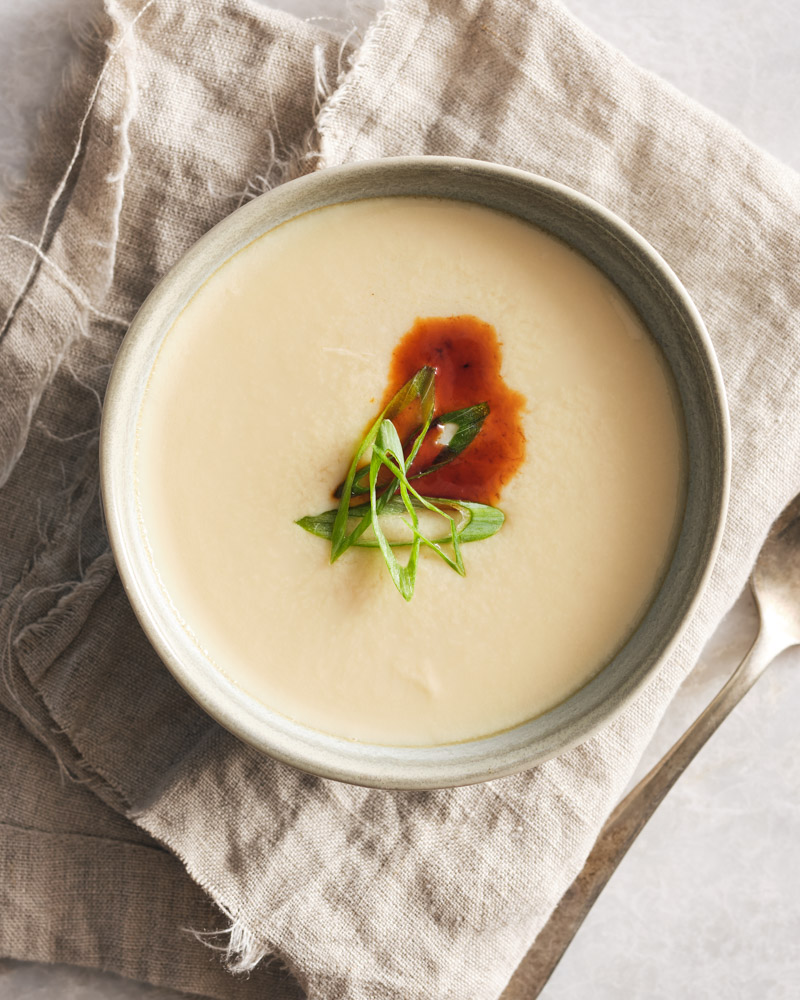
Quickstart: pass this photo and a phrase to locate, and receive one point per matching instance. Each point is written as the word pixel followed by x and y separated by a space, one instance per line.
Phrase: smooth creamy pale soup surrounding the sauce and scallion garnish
pixel 263 389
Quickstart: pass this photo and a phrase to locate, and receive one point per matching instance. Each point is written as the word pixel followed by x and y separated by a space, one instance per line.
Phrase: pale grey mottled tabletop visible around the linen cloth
pixel 707 904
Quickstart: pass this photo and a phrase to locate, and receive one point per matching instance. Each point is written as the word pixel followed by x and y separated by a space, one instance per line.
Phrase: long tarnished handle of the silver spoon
pixel 627 821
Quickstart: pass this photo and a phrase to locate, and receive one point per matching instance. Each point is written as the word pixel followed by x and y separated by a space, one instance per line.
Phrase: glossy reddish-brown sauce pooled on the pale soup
pixel 466 355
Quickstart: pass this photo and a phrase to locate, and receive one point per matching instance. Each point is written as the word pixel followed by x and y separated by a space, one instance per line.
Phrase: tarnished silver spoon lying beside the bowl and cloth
pixel 775 583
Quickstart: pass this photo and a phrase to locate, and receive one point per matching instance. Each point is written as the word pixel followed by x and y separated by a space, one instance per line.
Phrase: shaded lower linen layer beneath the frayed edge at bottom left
pixel 83 885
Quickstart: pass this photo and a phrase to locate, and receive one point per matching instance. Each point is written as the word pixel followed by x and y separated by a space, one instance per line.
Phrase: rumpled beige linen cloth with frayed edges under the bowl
pixel 115 785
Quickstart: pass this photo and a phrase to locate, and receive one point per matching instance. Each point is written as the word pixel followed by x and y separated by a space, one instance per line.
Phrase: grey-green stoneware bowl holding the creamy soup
pixel 666 310
